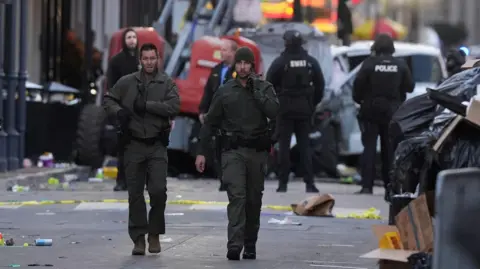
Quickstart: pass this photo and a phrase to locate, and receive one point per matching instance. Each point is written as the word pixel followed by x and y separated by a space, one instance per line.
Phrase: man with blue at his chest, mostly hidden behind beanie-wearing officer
pixel 220 74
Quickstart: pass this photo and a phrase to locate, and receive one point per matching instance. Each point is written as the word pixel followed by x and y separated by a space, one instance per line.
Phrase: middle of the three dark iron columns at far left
pixel 10 55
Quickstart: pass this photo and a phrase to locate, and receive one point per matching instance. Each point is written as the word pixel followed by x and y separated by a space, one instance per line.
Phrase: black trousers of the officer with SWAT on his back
pixel 301 129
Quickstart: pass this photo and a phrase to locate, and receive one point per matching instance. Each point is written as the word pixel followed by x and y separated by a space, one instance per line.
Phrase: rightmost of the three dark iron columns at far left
pixel 22 79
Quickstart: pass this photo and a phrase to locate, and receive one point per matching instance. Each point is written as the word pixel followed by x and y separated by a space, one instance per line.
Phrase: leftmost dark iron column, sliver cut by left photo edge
pixel 3 135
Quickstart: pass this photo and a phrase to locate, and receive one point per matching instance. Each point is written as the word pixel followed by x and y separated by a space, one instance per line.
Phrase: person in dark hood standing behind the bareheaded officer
pixel 124 63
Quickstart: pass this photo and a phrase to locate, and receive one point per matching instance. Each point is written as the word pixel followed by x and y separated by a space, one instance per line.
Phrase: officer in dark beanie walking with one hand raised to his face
pixel 241 109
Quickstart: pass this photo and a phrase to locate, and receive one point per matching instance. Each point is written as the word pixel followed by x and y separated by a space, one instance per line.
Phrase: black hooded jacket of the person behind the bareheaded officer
pixel 123 63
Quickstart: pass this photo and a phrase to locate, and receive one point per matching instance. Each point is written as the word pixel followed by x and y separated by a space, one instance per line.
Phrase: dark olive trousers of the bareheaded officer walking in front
pixel 146 164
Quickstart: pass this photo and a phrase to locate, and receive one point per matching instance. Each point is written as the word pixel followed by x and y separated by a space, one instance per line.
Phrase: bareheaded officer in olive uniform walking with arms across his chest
pixel 144 102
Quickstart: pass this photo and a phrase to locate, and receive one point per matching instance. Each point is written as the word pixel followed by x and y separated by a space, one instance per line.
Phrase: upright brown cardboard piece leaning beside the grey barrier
pixel 415 225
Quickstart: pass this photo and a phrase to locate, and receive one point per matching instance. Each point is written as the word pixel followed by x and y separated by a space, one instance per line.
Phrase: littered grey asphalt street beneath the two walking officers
pixel 93 235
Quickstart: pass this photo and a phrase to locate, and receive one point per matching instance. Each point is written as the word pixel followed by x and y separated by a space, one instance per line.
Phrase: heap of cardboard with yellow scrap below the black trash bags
pixel 408 244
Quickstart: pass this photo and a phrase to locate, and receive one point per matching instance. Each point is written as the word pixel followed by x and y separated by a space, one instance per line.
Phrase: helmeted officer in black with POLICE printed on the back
pixel 380 87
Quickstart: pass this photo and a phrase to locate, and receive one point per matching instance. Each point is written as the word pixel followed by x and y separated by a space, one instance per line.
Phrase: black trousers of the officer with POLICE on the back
pixel 370 133
